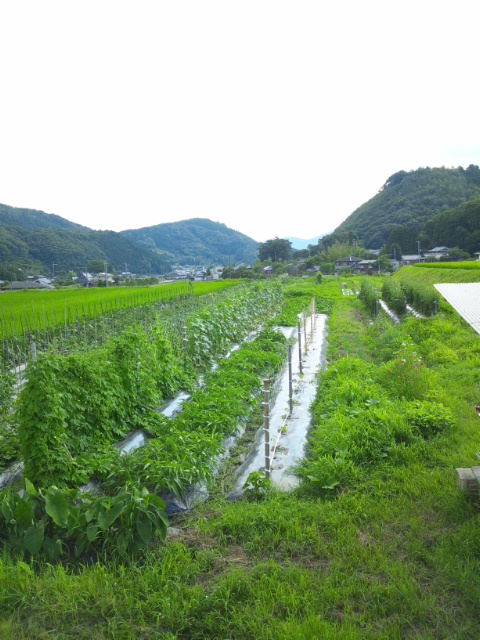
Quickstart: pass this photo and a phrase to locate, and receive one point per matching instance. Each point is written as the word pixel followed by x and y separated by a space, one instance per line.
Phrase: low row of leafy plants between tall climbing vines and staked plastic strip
pixel 185 447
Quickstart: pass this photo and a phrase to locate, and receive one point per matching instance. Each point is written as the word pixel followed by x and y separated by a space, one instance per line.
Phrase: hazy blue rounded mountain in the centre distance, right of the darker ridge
pixel 197 240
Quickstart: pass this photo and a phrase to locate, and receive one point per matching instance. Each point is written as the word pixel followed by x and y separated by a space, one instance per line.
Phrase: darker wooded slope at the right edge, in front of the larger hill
pixel 458 227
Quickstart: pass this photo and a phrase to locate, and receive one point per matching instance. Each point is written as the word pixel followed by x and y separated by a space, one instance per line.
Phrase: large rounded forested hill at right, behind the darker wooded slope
pixel 407 201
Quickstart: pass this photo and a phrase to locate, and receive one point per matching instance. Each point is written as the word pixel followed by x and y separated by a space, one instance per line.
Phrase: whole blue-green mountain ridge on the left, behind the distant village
pixel 38 241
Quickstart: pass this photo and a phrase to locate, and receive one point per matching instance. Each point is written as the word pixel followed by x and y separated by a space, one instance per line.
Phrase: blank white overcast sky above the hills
pixel 275 118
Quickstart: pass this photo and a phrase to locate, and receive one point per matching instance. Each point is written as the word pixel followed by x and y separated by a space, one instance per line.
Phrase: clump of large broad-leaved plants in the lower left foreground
pixel 56 522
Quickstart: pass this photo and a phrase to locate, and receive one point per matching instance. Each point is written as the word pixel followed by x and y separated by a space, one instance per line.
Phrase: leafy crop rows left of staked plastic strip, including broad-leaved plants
pixel 76 406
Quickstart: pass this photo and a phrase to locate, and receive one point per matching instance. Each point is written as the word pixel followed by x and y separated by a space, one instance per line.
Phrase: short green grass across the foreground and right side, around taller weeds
pixel 396 554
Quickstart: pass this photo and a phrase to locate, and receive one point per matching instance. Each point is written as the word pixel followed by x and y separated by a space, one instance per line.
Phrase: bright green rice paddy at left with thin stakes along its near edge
pixel 68 320
